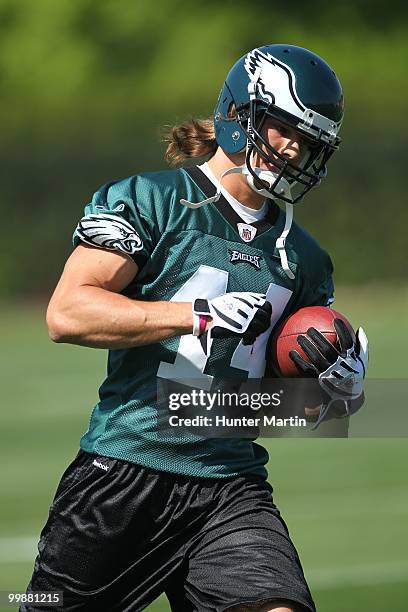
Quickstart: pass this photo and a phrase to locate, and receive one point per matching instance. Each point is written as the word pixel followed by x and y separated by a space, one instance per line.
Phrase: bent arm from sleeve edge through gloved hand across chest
pixel 88 309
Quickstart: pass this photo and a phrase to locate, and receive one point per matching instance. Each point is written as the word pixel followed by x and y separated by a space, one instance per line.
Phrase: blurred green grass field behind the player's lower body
pixel 345 501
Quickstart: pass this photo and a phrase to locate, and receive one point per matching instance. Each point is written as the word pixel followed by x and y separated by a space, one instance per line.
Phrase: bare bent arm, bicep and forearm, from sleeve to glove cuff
pixel 87 308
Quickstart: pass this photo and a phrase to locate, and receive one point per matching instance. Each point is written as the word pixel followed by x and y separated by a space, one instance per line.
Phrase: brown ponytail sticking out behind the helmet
pixel 194 138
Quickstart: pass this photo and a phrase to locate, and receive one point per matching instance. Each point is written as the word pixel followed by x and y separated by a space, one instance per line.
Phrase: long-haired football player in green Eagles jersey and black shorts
pixel 182 275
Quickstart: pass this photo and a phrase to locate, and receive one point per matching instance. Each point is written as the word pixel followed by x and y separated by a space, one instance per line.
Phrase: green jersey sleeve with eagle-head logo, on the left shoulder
pixel 113 220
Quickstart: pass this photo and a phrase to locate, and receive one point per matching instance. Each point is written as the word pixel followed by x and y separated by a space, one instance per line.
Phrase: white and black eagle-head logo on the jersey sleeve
pixel 109 232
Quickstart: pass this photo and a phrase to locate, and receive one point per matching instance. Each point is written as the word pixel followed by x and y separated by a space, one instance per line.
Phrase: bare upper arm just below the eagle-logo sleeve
pixel 95 267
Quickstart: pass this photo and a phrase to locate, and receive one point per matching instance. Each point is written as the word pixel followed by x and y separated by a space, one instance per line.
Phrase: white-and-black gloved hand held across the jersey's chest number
pixel 242 314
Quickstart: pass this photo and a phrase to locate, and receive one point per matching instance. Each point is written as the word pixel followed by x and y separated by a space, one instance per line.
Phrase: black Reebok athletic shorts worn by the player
pixel 118 535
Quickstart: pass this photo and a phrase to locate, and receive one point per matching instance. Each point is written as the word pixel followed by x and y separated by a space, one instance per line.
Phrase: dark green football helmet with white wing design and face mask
pixel 296 87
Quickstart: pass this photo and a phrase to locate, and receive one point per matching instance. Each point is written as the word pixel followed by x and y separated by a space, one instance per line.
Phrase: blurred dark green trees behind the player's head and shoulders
pixel 86 85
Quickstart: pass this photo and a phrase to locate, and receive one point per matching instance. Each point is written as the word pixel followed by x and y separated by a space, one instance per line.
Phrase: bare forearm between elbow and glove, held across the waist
pixel 103 319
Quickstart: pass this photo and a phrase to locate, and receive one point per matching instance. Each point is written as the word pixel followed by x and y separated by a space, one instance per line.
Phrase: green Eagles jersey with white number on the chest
pixel 183 254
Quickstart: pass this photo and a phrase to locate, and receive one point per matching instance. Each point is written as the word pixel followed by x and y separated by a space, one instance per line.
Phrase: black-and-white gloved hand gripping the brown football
pixel 340 372
